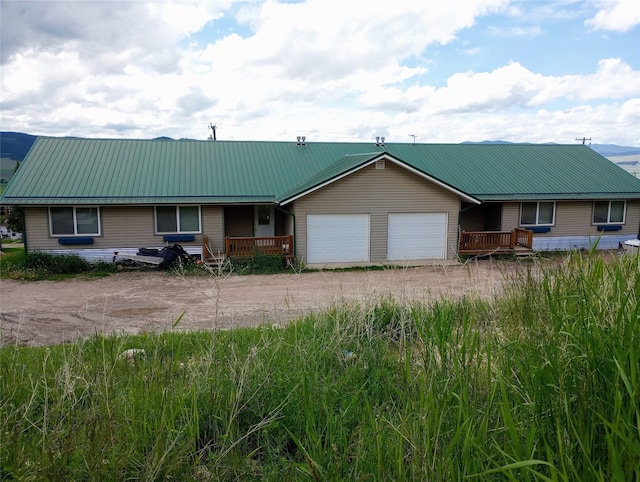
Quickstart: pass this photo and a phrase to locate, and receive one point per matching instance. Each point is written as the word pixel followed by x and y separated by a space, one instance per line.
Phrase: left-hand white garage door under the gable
pixel 337 238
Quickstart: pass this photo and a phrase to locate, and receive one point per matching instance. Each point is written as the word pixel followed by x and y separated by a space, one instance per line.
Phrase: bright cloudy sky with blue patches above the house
pixel 332 70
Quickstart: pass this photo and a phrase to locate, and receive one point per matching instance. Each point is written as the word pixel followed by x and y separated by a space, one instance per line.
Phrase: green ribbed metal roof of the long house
pixel 107 171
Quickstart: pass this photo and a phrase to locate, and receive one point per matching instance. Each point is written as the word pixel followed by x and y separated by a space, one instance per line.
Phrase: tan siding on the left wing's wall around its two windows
pixel 123 227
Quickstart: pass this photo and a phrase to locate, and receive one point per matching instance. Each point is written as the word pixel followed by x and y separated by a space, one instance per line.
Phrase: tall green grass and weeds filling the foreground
pixel 541 384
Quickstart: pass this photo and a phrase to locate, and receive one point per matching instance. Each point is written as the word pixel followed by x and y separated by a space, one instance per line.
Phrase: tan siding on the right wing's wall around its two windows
pixel 574 218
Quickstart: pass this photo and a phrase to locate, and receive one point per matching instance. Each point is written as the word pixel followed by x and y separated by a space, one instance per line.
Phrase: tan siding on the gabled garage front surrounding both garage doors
pixel 378 192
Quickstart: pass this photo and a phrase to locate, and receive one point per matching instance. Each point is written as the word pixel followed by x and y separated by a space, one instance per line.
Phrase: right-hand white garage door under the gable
pixel 417 236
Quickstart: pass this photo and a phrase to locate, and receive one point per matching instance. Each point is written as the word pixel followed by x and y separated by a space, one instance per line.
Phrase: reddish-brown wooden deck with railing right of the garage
pixel 519 241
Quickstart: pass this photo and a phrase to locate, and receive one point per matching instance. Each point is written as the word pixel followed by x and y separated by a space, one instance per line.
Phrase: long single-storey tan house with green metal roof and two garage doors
pixel 325 203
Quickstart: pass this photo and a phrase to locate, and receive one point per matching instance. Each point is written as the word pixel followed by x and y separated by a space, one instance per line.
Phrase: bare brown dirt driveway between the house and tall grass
pixel 46 312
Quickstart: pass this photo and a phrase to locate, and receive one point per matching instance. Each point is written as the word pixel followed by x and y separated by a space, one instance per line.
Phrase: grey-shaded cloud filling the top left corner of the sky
pixel 94 28
